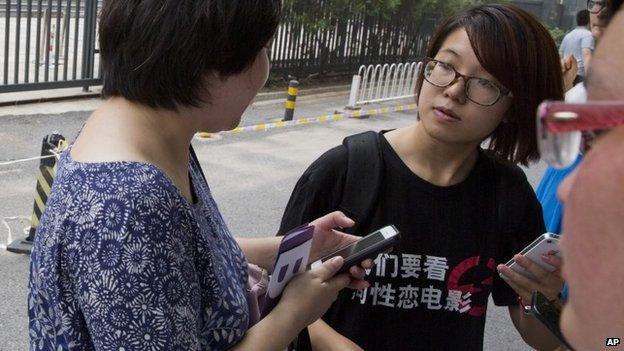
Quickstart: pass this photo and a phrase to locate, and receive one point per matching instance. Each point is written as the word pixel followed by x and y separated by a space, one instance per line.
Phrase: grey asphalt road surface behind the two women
pixel 251 176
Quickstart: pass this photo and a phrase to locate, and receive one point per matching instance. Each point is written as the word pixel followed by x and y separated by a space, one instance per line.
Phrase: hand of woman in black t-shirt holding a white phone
pixel 548 283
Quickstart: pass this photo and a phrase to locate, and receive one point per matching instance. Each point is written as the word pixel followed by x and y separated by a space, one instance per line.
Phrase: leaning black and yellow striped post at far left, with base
pixel 45 178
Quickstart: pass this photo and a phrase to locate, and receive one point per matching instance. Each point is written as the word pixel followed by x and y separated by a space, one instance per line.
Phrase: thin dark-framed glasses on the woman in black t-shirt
pixel 478 90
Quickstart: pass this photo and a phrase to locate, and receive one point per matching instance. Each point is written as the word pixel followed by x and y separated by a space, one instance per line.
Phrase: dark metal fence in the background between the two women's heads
pixel 343 44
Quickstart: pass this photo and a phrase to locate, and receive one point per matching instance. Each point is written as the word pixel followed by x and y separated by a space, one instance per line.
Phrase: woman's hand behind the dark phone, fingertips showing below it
pixel 327 240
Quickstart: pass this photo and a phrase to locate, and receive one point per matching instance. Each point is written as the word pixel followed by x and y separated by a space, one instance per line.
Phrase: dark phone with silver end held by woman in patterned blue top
pixel 367 247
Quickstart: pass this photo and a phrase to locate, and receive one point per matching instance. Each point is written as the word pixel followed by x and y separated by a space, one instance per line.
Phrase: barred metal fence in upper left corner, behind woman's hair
pixel 48 44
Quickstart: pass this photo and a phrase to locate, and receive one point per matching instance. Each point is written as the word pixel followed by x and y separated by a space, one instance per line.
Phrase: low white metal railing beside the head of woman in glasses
pixel 377 83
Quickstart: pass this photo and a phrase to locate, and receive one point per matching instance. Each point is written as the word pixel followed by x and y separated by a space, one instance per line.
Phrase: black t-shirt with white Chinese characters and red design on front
pixel 431 291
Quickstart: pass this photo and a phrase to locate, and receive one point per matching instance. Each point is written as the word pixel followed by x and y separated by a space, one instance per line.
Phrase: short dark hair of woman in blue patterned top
pixel 159 52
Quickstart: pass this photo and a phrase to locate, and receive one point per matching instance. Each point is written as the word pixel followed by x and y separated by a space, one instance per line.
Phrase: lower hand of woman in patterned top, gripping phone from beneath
pixel 309 294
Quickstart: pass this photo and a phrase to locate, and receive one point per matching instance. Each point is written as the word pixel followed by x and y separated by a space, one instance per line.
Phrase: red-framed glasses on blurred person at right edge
pixel 561 127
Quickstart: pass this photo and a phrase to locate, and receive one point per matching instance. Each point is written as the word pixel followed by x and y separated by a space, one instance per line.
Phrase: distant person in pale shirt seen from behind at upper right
pixel 579 43
